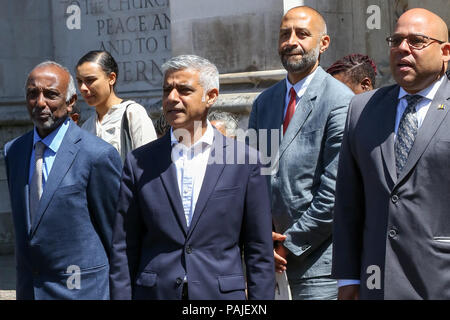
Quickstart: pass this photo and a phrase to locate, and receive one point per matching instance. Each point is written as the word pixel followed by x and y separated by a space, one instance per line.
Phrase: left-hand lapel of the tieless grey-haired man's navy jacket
pixel 169 180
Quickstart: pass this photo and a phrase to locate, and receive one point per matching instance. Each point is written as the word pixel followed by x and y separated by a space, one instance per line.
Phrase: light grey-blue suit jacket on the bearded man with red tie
pixel 303 187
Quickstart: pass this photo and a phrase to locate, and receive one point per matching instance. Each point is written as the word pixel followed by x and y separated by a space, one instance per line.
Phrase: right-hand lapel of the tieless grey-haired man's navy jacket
pixel 213 171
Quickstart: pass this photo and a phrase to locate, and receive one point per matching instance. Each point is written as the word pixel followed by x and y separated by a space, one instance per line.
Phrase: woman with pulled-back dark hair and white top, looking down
pixel 123 123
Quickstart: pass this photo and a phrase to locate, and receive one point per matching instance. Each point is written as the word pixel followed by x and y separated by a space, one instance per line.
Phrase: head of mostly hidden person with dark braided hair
pixel 356 70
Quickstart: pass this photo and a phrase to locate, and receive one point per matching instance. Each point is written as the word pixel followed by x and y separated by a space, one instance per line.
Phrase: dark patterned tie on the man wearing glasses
pixel 406 132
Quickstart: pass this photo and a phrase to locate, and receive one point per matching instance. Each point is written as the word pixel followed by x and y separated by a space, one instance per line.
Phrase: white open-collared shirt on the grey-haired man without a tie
pixel 190 163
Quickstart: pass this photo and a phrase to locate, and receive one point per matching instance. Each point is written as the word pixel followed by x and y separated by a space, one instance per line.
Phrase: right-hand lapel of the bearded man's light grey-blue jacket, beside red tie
pixel 303 109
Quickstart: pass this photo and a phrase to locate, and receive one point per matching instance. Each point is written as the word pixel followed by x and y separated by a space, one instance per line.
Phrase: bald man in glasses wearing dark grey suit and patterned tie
pixel 392 227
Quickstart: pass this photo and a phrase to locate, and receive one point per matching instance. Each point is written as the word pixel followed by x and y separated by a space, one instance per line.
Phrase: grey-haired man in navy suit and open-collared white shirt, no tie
pixel 189 202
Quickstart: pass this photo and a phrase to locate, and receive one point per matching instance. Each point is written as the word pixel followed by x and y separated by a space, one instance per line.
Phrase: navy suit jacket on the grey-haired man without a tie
pixel 152 247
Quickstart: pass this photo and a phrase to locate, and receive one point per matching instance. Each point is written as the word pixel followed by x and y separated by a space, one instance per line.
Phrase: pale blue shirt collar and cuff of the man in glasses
pixel 421 111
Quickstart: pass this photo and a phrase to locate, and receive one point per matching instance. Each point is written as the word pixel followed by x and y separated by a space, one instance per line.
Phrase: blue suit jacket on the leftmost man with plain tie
pixel 73 225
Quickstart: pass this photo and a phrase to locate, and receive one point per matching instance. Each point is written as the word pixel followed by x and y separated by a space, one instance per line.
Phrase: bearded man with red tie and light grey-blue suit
pixel 309 109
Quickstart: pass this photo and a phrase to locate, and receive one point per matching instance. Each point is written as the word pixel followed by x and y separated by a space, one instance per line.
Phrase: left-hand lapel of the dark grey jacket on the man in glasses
pixel 388 111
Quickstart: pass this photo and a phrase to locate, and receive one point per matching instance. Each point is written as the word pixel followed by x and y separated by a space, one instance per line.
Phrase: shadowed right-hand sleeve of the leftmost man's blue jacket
pixel 102 193
